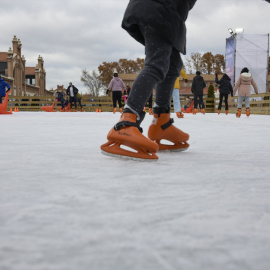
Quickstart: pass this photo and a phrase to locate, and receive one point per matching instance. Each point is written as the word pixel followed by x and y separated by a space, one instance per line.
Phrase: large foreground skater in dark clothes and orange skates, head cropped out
pixel 160 27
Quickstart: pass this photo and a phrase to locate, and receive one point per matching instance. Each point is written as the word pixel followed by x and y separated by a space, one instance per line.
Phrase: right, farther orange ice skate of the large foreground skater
pixel 162 128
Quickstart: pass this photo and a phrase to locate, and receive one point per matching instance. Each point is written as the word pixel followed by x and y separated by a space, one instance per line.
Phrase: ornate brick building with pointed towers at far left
pixel 24 81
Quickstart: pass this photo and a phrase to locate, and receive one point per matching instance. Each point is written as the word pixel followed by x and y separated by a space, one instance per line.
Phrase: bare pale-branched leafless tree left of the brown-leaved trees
pixel 92 82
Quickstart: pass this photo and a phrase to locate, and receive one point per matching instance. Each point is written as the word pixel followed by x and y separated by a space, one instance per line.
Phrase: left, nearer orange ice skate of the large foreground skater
pixel 127 132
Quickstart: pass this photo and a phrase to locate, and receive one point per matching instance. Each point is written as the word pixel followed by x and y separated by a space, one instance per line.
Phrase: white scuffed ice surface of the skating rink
pixel 65 206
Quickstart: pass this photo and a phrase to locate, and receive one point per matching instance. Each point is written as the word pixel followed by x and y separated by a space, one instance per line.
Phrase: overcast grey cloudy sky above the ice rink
pixel 72 35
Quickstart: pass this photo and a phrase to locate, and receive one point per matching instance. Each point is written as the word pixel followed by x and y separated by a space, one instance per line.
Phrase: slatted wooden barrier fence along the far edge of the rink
pixel 259 104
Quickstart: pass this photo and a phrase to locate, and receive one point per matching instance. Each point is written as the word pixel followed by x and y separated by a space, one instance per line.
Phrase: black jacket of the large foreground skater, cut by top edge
pixel 166 17
